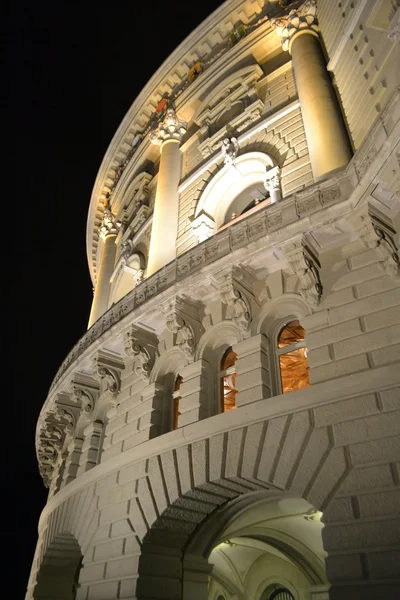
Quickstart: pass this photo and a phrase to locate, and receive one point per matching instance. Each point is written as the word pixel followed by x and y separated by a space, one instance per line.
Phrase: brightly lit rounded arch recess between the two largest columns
pixel 229 183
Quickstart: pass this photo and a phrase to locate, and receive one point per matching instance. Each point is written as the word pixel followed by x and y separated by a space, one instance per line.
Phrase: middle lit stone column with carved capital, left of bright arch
pixel 168 136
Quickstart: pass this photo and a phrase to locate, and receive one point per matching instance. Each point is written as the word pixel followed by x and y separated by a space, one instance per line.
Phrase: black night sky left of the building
pixel 74 69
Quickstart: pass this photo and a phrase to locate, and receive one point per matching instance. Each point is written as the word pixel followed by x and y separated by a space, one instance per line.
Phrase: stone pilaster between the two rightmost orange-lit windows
pixel 252 368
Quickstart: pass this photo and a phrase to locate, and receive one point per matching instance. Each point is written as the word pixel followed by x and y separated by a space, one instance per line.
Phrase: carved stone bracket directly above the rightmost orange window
pixel 305 264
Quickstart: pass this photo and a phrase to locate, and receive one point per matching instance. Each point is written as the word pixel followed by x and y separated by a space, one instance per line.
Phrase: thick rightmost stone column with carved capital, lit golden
pixel 327 138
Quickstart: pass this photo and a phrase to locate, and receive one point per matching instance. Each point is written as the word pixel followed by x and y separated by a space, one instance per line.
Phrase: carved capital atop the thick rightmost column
pixel 298 19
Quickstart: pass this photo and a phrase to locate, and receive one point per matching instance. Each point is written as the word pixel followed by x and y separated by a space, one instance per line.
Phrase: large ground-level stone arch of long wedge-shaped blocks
pixel 285 454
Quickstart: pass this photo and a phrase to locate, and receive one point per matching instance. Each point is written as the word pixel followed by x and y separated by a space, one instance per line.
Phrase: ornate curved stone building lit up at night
pixel 228 426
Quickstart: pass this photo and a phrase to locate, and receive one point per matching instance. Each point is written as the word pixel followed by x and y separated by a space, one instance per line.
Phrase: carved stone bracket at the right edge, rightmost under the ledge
pixel 376 233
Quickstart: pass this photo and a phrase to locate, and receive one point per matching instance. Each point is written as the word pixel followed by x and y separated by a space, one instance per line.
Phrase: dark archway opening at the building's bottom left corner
pixel 59 571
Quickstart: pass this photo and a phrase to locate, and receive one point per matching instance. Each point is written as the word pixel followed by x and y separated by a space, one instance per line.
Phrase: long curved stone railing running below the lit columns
pixel 257 225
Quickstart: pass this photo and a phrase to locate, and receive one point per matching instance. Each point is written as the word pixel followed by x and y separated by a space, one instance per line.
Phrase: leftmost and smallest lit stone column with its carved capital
pixel 108 232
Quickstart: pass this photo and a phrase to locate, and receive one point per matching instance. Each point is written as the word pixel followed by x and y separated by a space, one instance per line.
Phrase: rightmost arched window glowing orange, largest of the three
pixel 292 356
